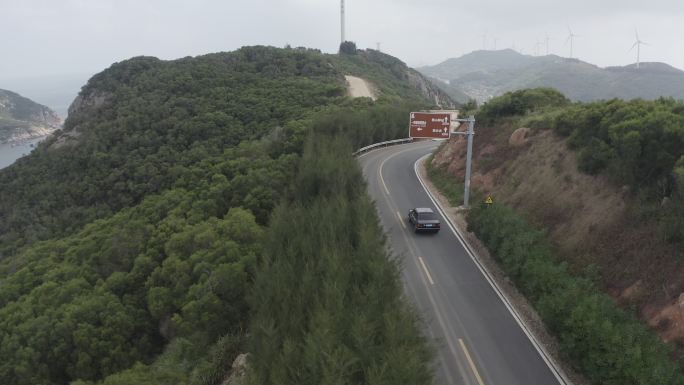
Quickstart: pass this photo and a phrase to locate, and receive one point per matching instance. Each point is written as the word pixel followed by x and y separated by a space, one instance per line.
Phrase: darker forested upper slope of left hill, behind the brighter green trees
pixel 159 118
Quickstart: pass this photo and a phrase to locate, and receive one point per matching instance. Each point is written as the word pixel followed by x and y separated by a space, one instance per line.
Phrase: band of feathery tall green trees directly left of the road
pixel 328 305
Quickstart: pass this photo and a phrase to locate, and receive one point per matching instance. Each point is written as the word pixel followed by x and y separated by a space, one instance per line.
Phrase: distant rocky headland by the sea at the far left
pixel 22 118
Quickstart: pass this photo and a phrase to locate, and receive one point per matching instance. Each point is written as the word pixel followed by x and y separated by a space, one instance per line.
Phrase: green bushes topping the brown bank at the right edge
pixel 636 143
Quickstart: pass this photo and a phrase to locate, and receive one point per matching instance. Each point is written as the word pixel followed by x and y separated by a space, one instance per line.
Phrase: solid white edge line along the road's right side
pixel 557 372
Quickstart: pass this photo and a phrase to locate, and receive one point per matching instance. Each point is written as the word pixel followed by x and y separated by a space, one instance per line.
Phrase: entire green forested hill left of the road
pixel 131 241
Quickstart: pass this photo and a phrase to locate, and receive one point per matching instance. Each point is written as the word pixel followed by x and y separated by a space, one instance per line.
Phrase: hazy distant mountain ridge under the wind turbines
pixel 482 75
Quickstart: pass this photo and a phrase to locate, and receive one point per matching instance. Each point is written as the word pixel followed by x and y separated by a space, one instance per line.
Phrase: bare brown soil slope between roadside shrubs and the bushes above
pixel 590 222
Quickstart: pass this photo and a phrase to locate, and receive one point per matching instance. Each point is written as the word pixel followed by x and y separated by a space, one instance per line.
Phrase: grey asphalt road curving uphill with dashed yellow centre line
pixel 477 339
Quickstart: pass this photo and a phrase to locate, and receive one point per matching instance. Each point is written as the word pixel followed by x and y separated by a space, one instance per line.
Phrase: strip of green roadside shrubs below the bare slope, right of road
pixel 603 342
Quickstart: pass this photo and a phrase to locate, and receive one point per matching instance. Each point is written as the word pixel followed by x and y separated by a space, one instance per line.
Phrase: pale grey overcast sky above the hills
pixel 61 37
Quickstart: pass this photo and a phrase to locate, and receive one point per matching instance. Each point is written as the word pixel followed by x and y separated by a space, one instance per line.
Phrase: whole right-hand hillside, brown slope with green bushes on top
pixel 603 180
